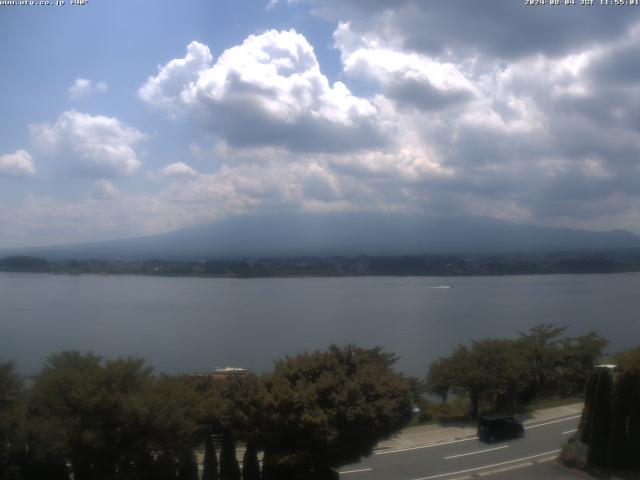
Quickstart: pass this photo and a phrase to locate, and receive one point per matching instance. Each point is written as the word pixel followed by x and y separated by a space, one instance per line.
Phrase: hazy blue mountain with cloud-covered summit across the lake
pixel 282 235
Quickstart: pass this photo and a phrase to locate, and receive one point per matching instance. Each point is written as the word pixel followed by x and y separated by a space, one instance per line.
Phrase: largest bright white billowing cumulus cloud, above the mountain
pixel 268 91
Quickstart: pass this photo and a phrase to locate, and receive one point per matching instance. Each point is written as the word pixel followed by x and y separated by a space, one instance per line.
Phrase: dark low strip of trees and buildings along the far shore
pixel 532 263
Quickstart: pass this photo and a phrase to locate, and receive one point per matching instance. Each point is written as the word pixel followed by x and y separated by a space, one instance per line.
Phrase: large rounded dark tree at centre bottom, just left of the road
pixel 326 409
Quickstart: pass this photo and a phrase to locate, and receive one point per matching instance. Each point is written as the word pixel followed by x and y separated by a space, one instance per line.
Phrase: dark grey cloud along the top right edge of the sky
pixel 502 28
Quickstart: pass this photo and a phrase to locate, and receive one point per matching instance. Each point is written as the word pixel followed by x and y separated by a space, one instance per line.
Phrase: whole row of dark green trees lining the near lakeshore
pixel 89 418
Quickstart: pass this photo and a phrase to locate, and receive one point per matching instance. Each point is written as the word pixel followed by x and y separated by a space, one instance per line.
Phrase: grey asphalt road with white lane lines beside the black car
pixel 463 457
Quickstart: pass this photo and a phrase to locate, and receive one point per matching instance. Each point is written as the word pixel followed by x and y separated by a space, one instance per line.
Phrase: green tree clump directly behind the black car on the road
pixel 509 373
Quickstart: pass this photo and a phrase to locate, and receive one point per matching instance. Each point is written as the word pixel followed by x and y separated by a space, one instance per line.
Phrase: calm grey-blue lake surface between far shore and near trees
pixel 193 324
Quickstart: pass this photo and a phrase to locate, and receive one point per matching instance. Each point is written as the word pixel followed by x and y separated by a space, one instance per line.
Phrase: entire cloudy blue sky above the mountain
pixel 125 118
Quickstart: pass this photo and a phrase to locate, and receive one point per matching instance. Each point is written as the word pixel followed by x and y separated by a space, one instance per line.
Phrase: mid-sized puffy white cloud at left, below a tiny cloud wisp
pixel 91 145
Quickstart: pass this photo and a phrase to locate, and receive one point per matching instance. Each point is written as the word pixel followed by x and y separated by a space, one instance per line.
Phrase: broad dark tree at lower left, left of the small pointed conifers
pixel 107 418
